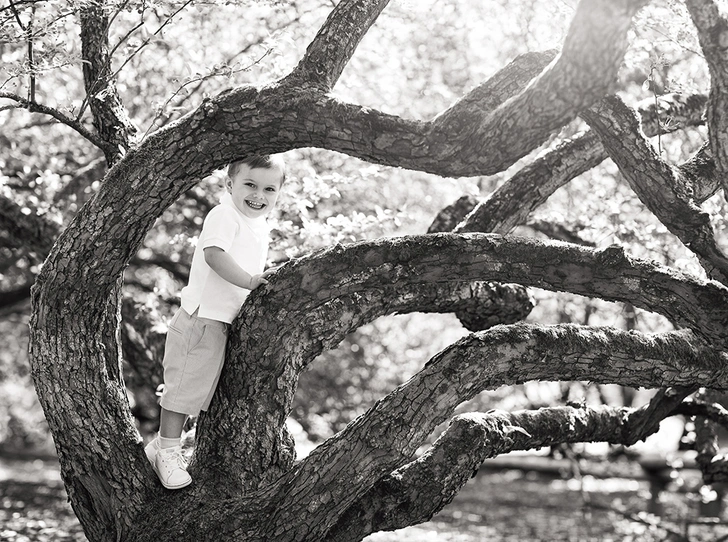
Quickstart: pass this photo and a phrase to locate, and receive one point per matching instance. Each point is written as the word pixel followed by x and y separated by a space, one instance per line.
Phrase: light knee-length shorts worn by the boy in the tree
pixel 193 356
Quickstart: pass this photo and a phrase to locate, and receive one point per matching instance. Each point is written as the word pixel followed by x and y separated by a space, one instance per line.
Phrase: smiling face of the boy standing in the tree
pixel 255 190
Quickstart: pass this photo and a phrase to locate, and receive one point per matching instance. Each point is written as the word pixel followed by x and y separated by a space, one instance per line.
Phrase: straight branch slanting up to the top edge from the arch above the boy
pixel 334 45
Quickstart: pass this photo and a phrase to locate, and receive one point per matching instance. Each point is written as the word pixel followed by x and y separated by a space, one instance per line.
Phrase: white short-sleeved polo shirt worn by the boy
pixel 246 240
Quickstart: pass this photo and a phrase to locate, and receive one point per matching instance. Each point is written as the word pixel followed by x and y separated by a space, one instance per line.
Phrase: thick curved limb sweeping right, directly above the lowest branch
pixel 386 437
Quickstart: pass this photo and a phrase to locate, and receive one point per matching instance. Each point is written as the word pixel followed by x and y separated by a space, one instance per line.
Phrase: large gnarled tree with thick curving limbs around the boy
pixel 367 478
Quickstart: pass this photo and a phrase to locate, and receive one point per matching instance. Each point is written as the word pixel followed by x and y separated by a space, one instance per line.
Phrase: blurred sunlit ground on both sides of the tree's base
pixel 497 506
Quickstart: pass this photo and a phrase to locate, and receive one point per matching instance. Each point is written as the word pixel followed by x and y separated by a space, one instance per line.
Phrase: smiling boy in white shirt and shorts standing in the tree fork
pixel 227 263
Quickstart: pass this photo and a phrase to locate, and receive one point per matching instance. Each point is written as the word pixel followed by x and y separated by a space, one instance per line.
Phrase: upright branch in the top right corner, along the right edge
pixel 712 28
